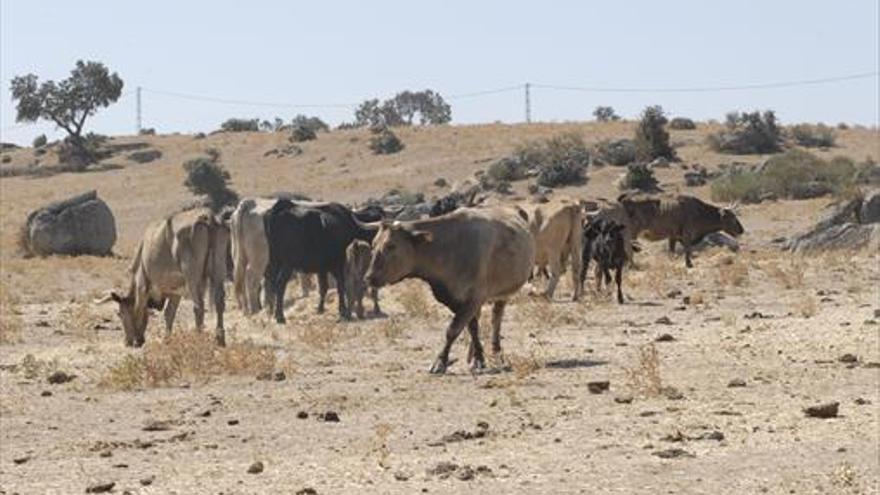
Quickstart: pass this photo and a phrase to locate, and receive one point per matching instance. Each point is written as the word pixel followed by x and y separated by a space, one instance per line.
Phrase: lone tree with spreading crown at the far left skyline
pixel 67 103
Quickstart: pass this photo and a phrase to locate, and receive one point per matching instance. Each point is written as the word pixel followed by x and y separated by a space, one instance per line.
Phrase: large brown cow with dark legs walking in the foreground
pixel 469 257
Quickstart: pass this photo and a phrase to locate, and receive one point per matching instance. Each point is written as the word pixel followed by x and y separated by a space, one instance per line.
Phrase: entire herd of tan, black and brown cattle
pixel 469 256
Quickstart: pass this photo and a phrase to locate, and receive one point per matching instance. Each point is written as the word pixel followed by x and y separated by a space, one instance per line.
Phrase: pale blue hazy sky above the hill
pixel 335 54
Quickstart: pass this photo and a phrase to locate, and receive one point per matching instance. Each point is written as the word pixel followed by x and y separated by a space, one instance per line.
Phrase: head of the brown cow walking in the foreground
pixel 394 253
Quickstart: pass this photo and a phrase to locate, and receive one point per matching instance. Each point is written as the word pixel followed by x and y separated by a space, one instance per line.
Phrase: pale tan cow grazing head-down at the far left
pixel 181 255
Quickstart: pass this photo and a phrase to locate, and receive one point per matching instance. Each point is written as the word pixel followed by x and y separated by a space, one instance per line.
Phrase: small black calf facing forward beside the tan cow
pixel 604 242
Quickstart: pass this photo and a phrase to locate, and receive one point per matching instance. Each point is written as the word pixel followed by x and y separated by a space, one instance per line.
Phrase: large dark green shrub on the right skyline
pixel 748 133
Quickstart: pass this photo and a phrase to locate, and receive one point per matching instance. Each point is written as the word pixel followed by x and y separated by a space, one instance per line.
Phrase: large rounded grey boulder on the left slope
pixel 82 224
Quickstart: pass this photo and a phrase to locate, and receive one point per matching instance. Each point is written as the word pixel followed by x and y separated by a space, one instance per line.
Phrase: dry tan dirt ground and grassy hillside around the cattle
pixel 709 369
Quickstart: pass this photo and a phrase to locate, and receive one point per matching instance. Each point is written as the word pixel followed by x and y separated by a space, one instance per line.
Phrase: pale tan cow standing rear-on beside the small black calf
pixel 557 229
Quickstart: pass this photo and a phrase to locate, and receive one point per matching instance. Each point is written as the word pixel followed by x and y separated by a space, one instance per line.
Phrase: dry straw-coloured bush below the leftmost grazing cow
pixel 187 356
